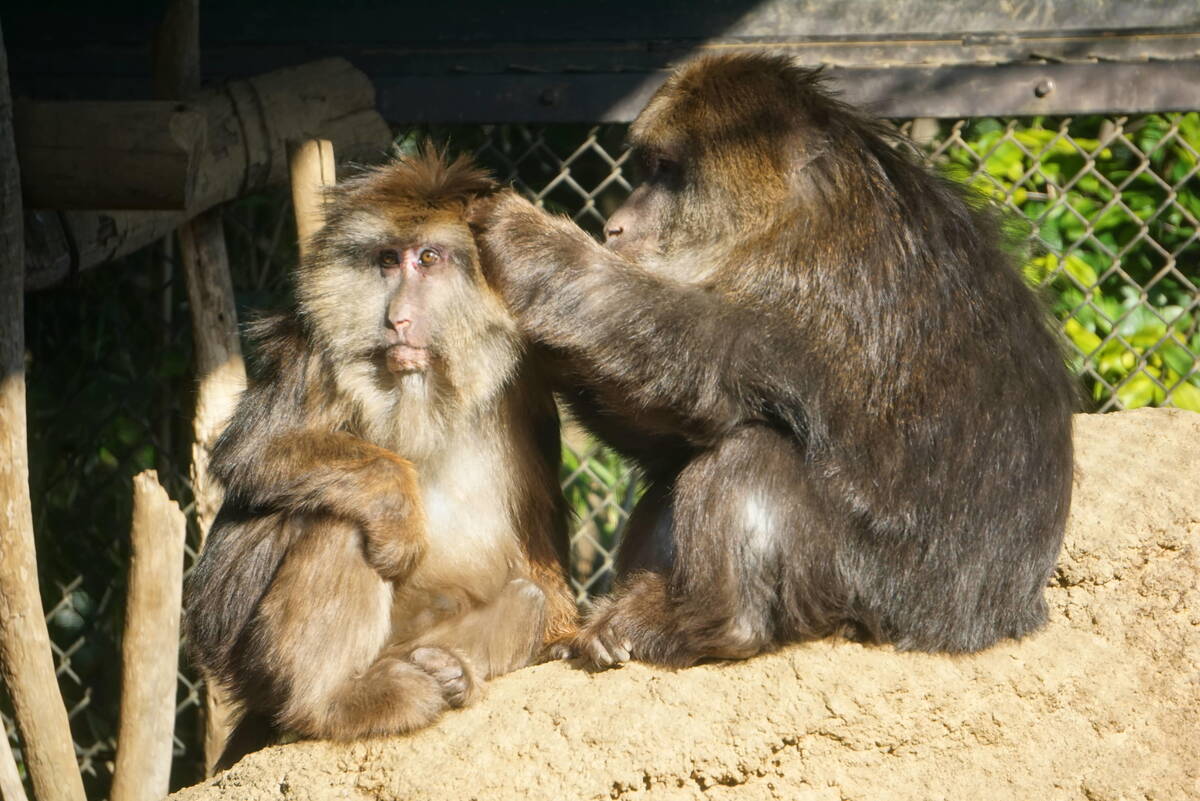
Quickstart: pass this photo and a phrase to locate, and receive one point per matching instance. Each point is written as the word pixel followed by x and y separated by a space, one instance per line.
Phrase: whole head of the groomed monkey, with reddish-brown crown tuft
pixel 393 287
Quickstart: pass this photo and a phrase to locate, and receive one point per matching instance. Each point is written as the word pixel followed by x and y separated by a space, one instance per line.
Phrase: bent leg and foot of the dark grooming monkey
pixel 705 580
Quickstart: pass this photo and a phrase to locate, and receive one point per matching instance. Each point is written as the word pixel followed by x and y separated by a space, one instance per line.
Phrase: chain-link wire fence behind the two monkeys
pixel 1108 206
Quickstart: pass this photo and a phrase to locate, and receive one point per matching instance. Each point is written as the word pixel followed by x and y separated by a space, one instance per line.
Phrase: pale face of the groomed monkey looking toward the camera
pixel 401 290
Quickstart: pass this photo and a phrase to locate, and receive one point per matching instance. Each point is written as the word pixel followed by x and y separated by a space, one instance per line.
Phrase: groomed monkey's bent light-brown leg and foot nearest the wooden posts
pixel 322 633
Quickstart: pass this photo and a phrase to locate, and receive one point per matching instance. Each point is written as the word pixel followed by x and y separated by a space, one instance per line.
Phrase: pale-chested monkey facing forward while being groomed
pixel 393 533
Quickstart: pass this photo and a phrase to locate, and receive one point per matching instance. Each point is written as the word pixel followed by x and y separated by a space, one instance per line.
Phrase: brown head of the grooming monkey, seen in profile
pixel 725 144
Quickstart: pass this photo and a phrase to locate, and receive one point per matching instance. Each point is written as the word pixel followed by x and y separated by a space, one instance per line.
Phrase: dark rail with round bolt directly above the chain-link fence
pixel 949 92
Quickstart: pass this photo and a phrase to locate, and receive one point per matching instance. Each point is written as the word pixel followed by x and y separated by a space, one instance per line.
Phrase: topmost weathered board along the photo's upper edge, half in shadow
pixel 371 25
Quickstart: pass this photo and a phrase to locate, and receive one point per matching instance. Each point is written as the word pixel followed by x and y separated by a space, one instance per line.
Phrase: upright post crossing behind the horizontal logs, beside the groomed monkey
pixel 220 370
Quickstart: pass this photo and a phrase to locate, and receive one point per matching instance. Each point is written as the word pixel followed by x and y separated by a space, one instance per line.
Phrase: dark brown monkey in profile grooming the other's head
pixel 851 414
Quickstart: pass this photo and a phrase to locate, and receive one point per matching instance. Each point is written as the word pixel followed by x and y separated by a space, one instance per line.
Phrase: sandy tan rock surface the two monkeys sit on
pixel 1102 704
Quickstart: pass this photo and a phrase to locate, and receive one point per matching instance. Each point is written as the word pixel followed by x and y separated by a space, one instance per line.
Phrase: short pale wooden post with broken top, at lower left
pixel 151 645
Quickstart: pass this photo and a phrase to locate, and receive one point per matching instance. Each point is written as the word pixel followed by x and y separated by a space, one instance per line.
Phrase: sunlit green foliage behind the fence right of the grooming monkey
pixel 1115 206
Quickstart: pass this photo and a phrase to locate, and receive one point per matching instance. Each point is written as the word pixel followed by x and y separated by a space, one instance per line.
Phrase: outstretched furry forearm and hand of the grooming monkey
pixel 662 345
